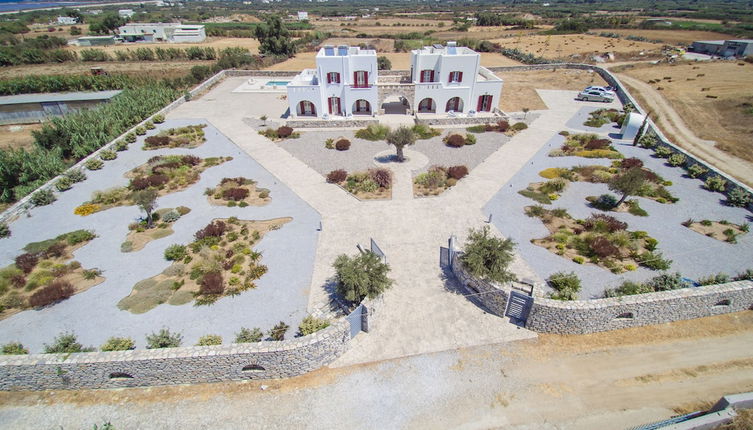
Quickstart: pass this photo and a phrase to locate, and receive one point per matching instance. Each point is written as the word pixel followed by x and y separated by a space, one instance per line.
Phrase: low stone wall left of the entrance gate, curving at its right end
pixel 186 365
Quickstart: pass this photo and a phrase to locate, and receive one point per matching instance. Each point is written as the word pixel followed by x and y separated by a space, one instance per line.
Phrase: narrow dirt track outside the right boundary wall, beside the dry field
pixel 676 129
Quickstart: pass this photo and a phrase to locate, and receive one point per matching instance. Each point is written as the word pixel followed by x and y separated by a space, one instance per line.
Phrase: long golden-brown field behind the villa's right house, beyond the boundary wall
pixel 575 45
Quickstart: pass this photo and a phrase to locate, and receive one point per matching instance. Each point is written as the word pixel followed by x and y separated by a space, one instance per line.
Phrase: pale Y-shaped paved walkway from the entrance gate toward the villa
pixel 423 312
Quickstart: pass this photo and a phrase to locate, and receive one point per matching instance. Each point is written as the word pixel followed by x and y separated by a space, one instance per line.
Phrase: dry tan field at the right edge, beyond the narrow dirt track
pixel 714 99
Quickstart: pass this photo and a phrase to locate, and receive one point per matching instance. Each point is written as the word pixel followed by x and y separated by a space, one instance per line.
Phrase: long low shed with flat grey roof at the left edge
pixel 30 108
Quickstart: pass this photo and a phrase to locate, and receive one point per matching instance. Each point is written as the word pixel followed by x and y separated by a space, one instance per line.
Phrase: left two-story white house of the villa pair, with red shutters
pixel 343 84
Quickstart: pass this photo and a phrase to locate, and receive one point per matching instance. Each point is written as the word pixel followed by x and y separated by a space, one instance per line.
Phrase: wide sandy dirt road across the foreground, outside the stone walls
pixel 602 381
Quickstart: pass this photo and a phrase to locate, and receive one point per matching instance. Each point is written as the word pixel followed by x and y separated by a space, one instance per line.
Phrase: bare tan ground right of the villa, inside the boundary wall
pixel 519 89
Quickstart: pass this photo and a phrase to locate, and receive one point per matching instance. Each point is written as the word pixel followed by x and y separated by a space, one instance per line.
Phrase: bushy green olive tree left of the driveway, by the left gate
pixel 364 275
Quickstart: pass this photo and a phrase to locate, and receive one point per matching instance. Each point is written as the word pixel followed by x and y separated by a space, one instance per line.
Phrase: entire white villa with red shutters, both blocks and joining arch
pixel 444 80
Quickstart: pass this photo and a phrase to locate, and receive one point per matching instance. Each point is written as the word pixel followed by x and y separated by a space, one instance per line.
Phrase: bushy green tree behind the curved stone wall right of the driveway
pixel 488 257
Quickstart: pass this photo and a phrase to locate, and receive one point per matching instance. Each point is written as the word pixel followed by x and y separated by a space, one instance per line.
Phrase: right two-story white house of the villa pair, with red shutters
pixel 451 79
